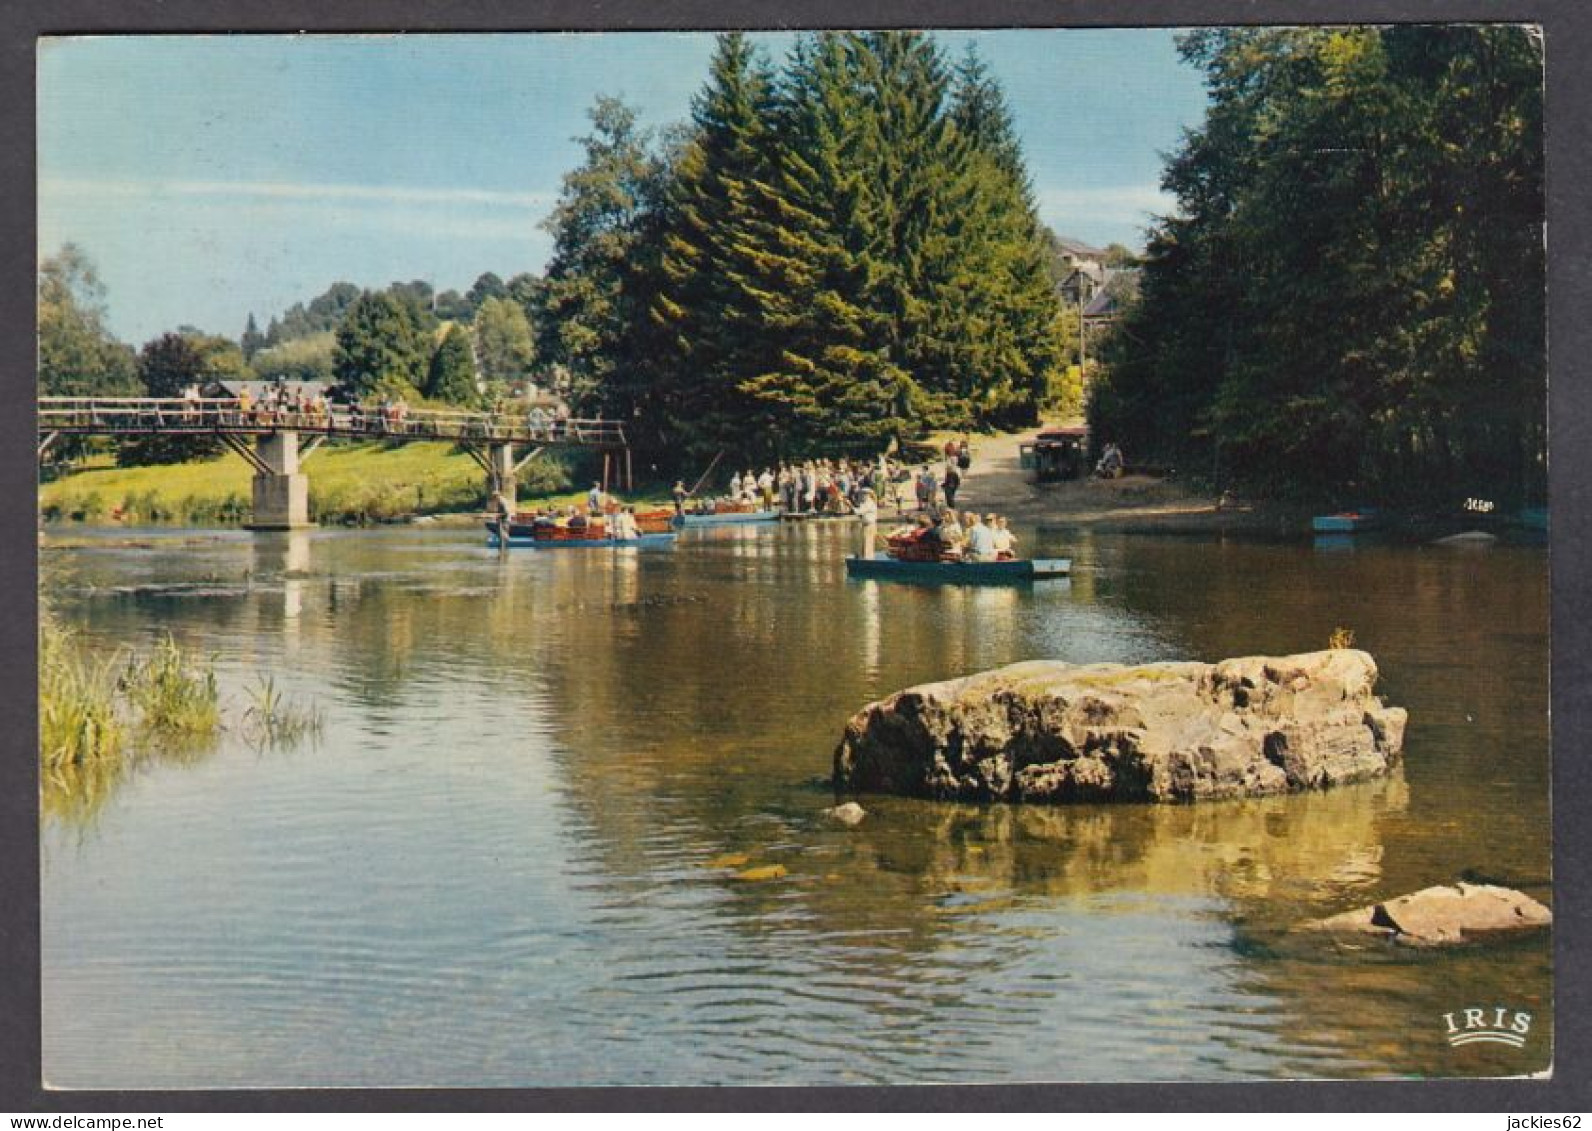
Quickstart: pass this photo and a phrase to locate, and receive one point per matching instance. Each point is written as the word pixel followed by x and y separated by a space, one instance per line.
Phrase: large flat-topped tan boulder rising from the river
pixel 1173 732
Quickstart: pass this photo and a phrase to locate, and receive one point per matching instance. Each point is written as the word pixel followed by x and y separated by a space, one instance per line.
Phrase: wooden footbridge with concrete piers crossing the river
pixel 270 437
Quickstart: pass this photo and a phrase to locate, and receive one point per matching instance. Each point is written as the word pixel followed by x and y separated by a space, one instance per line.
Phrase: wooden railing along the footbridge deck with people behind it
pixel 182 417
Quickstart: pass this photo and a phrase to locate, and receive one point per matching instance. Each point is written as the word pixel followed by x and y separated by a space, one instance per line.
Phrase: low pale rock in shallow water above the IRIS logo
pixel 1438 917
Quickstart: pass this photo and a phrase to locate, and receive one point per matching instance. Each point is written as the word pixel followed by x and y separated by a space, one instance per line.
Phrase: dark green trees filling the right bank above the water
pixel 1349 300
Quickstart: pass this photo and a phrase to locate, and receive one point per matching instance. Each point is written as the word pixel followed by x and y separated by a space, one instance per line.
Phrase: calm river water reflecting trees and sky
pixel 494 866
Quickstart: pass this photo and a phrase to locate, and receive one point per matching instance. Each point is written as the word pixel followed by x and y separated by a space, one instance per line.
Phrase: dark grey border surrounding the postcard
pixel 1569 49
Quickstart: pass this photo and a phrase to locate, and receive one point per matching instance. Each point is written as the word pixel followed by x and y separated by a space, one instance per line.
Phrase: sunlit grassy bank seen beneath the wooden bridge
pixel 349 482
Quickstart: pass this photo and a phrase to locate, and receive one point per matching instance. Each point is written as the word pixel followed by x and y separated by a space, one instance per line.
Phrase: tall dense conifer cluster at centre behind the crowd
pixel 835 256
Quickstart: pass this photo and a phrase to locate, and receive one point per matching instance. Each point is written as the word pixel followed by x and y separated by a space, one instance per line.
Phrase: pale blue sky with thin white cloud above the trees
pixel 211 178
